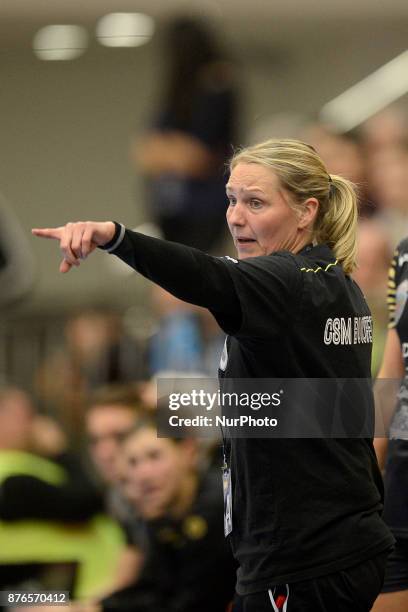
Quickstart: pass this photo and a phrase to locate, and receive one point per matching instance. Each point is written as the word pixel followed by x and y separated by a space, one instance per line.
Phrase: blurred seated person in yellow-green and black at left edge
pixel 52 534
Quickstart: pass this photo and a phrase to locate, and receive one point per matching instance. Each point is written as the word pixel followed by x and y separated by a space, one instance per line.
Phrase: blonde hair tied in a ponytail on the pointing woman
pixel 303 174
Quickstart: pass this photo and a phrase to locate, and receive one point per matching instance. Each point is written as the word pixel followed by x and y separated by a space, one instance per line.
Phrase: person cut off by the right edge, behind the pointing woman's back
pixel 393 454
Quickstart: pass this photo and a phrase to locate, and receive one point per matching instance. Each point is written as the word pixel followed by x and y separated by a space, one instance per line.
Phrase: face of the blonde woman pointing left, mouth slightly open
pixel 259 217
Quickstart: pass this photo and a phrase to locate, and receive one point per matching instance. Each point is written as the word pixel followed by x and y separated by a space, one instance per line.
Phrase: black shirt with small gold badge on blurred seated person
pixel 189 565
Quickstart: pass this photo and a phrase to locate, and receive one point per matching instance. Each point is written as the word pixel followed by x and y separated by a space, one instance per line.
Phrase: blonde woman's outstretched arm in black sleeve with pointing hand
pixel 187 273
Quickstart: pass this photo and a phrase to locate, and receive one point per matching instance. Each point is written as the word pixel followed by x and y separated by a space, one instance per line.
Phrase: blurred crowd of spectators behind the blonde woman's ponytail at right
pixel 375 158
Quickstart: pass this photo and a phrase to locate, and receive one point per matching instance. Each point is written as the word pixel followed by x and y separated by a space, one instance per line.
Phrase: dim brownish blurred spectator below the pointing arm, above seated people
pixel 97 352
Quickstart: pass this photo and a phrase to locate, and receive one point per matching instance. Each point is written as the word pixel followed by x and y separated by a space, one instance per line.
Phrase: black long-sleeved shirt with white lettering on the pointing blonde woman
pixel 301 508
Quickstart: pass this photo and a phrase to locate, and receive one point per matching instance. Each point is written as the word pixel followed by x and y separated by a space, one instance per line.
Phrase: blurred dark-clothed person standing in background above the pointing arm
pixel 185 152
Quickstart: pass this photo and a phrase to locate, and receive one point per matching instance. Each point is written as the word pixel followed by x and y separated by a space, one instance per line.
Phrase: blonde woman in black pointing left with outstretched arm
pixel 306 526
